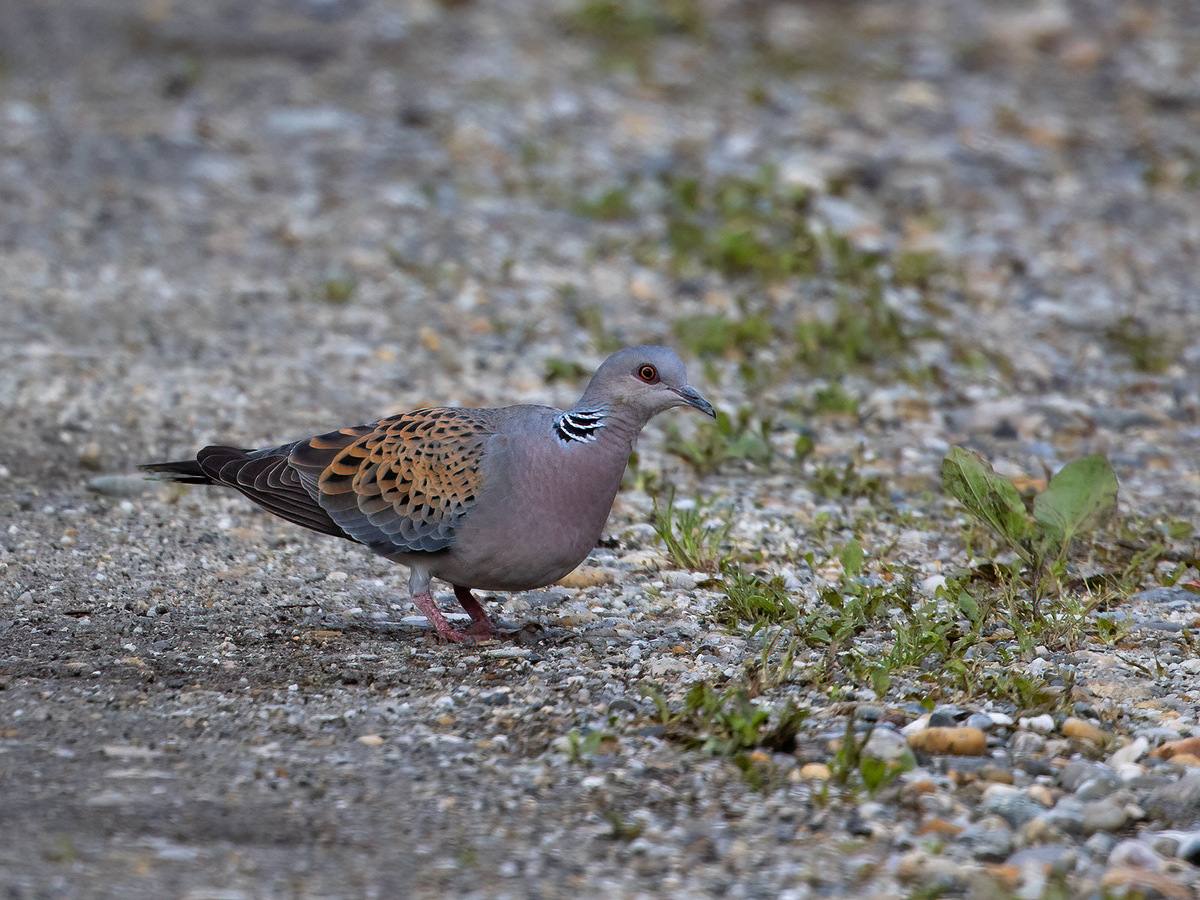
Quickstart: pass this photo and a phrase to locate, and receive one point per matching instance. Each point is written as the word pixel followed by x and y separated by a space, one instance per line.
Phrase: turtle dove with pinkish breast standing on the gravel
pixel 497 500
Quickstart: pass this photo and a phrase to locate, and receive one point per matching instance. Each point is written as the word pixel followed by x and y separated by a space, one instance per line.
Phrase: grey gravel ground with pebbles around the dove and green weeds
pixel 253 223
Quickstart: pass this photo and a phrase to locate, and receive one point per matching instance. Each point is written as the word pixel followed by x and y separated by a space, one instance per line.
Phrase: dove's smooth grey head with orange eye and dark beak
pixel 644 380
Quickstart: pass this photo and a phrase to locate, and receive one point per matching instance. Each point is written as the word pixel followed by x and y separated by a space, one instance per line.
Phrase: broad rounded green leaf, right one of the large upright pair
pixel 1081 496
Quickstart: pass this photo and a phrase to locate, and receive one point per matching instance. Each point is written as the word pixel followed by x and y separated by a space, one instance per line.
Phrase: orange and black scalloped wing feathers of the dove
pixel 400 484
